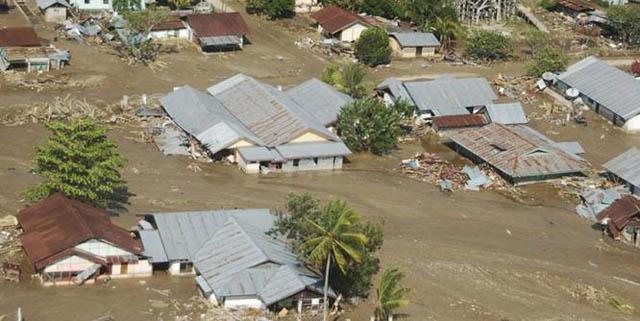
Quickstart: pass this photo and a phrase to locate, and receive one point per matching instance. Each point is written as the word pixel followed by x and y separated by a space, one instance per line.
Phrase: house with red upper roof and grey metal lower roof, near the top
pixel 218 31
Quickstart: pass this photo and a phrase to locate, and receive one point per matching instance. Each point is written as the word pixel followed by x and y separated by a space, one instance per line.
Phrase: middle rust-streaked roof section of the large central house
pixel 267 112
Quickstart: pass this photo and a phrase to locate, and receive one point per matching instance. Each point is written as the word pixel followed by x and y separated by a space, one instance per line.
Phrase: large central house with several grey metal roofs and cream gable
pixel 261 127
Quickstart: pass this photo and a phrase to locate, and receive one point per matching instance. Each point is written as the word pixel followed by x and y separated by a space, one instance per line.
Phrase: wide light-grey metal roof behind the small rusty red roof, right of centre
pixel 447 95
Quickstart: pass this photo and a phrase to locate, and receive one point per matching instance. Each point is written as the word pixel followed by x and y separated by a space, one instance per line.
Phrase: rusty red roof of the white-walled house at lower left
pixel 57 224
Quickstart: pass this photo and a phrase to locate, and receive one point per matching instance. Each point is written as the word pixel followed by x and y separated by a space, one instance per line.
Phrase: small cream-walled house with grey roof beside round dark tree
pixel 413 44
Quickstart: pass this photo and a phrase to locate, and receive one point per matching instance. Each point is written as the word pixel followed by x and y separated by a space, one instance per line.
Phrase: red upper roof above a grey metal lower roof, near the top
pixel 218 24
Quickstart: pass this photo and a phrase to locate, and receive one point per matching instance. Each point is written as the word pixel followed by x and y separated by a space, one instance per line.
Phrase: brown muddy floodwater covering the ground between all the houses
pixel 468 256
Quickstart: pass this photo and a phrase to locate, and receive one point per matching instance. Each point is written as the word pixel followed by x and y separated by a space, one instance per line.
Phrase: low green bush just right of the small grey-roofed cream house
pixel 489 45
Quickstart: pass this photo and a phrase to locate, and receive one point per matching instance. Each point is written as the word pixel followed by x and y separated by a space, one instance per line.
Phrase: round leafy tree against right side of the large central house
pixel 368 125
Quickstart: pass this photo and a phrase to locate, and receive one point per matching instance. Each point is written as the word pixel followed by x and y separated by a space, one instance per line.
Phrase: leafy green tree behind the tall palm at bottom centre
pixel 293 224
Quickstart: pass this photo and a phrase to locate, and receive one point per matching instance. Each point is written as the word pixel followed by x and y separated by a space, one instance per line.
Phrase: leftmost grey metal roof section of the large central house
pixel 205 118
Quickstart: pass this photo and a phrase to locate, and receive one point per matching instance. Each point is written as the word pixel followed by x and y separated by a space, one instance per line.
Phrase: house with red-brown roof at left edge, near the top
pixel 21 48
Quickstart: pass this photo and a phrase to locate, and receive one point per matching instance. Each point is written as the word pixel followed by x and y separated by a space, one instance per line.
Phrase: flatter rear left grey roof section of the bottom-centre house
pixel 184 233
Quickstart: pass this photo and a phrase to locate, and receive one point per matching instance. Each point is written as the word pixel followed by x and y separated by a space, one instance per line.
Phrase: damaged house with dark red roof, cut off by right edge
pixel 621 220
